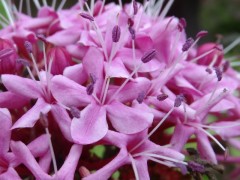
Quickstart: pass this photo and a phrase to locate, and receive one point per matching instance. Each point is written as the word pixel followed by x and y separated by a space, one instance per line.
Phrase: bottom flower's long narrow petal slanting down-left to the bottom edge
pixel 106 171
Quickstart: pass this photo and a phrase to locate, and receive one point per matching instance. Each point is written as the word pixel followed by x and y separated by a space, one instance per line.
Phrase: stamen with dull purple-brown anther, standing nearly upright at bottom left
pixel 44 119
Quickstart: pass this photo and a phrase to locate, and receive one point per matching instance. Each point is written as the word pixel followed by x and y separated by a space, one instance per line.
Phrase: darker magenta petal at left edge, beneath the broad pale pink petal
pixel 11 100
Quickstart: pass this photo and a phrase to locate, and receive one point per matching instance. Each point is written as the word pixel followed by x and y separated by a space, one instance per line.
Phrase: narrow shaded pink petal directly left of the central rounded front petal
pixel 63 120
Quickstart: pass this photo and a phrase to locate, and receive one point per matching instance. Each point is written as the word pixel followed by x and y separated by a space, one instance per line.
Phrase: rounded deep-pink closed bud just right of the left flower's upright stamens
pixel 61 59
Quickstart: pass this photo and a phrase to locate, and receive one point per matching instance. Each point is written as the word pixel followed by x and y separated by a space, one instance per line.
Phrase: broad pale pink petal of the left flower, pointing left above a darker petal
pixel 22 86
